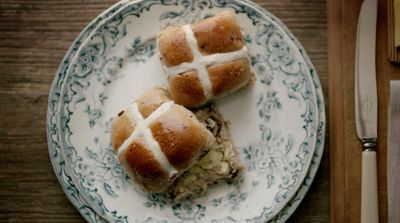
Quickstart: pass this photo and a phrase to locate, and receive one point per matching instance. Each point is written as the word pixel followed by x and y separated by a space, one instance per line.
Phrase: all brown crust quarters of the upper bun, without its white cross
pixel 218 34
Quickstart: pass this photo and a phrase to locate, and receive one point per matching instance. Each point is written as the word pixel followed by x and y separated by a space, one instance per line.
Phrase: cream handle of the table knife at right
pixel 369 188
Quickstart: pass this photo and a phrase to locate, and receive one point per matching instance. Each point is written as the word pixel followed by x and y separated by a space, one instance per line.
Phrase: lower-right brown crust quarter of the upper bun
pixel 229 76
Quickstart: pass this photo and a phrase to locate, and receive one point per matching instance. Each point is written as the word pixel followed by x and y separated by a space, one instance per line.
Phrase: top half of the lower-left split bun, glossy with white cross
pixel 157 140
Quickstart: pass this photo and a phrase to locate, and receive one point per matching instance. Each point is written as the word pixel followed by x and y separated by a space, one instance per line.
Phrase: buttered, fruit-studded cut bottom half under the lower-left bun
pixel 221 162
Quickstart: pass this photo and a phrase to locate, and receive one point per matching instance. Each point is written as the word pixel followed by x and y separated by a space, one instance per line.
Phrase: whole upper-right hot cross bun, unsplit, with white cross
pixel 205 60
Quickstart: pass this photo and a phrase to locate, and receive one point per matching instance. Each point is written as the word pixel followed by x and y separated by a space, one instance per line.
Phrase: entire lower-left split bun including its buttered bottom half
pixel 167 148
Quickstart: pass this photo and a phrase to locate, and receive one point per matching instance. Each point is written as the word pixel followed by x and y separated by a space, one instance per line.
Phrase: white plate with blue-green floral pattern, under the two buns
pixel 278 124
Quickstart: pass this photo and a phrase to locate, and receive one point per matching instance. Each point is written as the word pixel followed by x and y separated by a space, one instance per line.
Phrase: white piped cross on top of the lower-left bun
pixel 142 130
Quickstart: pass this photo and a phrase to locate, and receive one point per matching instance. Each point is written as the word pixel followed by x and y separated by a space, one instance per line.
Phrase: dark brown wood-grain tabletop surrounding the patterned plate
pixel 34 36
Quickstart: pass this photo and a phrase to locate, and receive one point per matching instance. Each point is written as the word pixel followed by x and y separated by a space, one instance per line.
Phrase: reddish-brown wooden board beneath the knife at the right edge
pixel 345 146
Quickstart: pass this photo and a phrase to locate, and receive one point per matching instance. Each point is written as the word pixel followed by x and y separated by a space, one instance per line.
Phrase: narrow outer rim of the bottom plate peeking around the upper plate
pixel 80 203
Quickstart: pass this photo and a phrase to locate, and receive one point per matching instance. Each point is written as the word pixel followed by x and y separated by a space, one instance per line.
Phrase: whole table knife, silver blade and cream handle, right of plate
pixel 366 107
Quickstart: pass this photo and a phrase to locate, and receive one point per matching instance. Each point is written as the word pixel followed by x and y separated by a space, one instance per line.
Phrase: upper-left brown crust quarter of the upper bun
pixel 173 46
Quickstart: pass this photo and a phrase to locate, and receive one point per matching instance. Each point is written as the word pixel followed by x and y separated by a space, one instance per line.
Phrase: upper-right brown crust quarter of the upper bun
pixel 218 34
